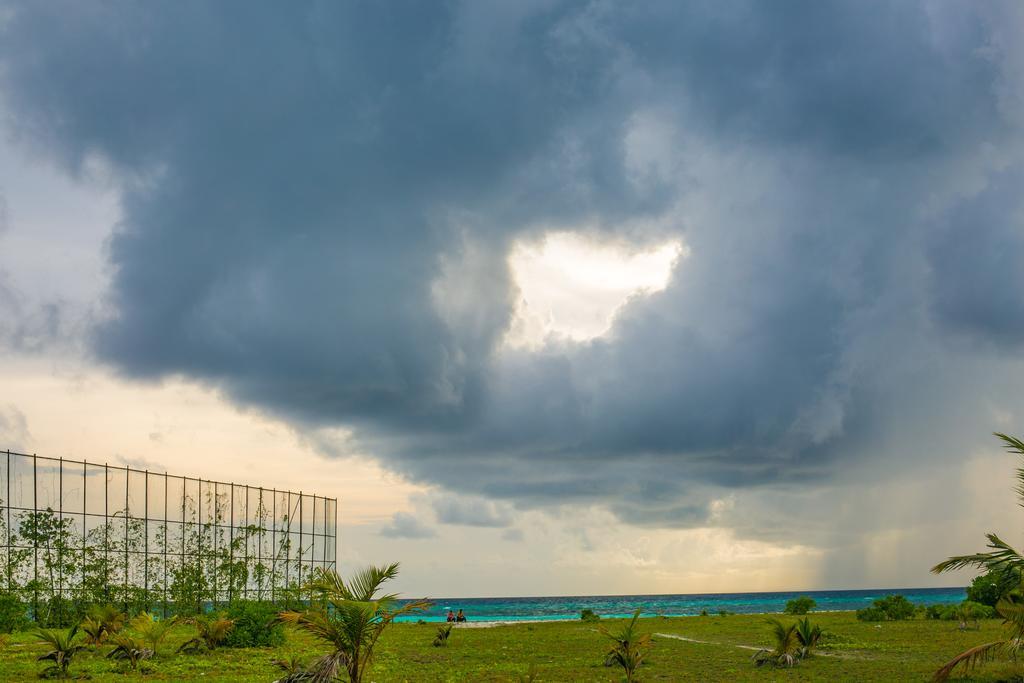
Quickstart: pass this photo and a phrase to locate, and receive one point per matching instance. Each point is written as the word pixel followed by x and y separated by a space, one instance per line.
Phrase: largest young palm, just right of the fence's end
pixel 351 618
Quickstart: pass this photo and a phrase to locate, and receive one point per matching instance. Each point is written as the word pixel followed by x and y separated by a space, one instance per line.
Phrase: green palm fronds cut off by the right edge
pixel 1001 560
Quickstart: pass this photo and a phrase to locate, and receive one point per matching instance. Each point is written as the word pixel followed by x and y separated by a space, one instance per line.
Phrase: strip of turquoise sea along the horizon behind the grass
pixel 513 610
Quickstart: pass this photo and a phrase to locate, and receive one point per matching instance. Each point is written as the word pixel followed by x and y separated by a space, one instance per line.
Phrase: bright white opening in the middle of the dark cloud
pixel 571 285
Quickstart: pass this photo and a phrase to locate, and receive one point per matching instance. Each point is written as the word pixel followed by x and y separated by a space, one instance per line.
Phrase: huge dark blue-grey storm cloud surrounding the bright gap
pixel 319 202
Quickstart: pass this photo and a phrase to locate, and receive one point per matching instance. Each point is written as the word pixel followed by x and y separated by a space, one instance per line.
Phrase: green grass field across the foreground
pixel 573 652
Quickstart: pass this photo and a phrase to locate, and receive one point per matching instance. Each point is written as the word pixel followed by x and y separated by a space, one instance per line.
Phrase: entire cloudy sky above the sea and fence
pixel 556 297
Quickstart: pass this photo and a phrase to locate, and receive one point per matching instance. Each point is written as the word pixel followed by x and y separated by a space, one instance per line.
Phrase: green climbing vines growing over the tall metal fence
pixel 59 565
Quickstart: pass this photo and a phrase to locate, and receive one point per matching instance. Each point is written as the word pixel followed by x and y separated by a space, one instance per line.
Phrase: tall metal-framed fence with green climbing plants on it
pixel 72 531
